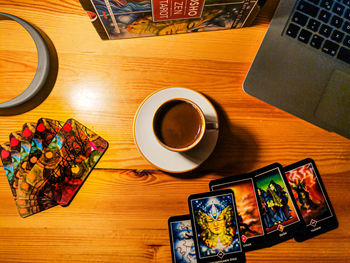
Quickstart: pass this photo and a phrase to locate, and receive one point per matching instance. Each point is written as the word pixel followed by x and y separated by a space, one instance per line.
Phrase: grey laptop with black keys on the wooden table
pixel 303 64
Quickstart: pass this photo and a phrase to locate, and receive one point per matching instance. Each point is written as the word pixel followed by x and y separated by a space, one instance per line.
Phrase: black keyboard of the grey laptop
pixel 324 25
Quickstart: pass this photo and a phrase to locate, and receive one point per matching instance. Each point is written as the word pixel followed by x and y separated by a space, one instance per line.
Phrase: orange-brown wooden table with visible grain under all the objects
pixel 121 212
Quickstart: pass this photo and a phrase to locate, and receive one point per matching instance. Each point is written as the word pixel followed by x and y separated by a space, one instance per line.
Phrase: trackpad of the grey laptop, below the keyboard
pixel 334 106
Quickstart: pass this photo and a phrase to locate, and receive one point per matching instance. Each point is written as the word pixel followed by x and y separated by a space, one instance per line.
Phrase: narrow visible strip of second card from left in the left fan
pixel 15 147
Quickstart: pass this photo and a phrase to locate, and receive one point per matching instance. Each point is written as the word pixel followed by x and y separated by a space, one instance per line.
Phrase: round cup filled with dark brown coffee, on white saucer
pixel 179 124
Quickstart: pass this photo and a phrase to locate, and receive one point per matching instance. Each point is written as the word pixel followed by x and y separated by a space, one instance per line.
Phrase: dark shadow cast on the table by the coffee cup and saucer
pixel 235 152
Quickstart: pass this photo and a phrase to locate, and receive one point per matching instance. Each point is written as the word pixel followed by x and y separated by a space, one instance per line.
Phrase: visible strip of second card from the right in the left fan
pixel 46 130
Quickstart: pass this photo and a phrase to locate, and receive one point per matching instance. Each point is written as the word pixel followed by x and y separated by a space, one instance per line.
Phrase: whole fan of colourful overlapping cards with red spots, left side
pixel 47 162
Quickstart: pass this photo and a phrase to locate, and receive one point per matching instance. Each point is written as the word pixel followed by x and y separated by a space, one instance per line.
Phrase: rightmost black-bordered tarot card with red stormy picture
pixel 311 198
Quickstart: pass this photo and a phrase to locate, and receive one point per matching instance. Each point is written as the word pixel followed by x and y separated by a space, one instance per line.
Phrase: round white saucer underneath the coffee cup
pixel 154 152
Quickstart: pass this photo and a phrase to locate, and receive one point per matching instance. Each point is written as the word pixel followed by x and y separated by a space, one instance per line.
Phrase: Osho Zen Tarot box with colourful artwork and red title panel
pixel 117 19
